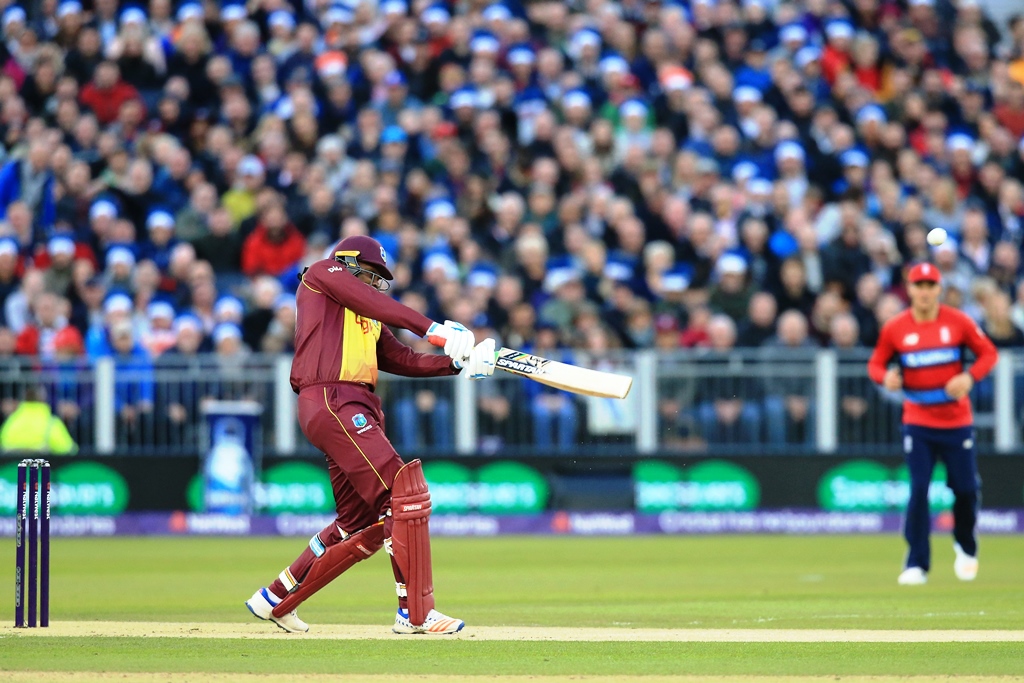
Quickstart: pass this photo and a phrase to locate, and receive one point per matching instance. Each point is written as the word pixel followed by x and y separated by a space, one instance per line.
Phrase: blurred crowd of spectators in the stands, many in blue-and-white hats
pixel 583 176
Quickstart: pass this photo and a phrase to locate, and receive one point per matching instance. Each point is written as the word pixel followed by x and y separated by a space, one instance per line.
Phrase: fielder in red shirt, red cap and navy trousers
pixel 927 344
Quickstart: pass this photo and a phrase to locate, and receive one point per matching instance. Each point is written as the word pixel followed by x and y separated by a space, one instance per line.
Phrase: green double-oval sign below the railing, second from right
pixel 713 485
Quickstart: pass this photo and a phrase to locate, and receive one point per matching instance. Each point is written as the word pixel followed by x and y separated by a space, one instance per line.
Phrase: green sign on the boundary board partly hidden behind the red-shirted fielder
pixel 866 486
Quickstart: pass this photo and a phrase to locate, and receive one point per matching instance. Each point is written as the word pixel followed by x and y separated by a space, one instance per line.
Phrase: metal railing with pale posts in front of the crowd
pixel 744 402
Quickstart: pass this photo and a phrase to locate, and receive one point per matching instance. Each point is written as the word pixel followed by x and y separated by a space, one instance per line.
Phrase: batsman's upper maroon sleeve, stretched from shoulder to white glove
pixel 351 292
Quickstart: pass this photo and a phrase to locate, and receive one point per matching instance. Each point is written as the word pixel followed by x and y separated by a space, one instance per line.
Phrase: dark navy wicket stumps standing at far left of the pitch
pixel 33 526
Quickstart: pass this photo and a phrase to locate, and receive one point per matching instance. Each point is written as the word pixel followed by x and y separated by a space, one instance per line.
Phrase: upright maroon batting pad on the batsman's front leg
pixel 411 539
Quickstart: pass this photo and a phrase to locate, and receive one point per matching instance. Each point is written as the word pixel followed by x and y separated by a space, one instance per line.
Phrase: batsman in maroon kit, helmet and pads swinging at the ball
pixel 342 344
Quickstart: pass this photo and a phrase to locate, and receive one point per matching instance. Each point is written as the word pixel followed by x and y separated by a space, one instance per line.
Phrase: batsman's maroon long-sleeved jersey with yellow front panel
pixel 340 333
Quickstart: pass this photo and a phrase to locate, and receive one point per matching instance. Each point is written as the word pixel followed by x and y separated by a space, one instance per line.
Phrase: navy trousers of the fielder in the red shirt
pixel 924 447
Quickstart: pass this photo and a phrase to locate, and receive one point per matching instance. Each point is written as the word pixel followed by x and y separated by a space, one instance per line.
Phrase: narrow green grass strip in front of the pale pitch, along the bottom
pixel 491 658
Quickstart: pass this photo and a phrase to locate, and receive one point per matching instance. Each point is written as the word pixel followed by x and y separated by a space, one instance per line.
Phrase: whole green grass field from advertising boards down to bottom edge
pixel 767 584
